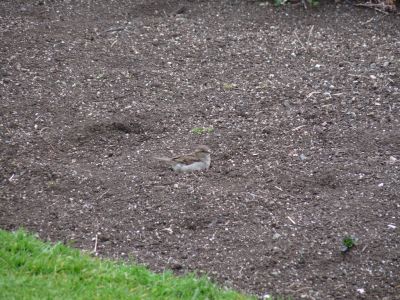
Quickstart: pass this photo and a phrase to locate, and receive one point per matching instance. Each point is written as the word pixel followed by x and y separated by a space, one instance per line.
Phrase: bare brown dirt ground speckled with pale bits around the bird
pixel 303 111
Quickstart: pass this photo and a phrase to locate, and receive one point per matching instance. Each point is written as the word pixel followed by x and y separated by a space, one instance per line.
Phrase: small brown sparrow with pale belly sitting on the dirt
pixel 200 159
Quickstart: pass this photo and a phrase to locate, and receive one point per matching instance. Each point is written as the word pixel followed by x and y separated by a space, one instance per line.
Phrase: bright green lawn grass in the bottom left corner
pixel 31 269
